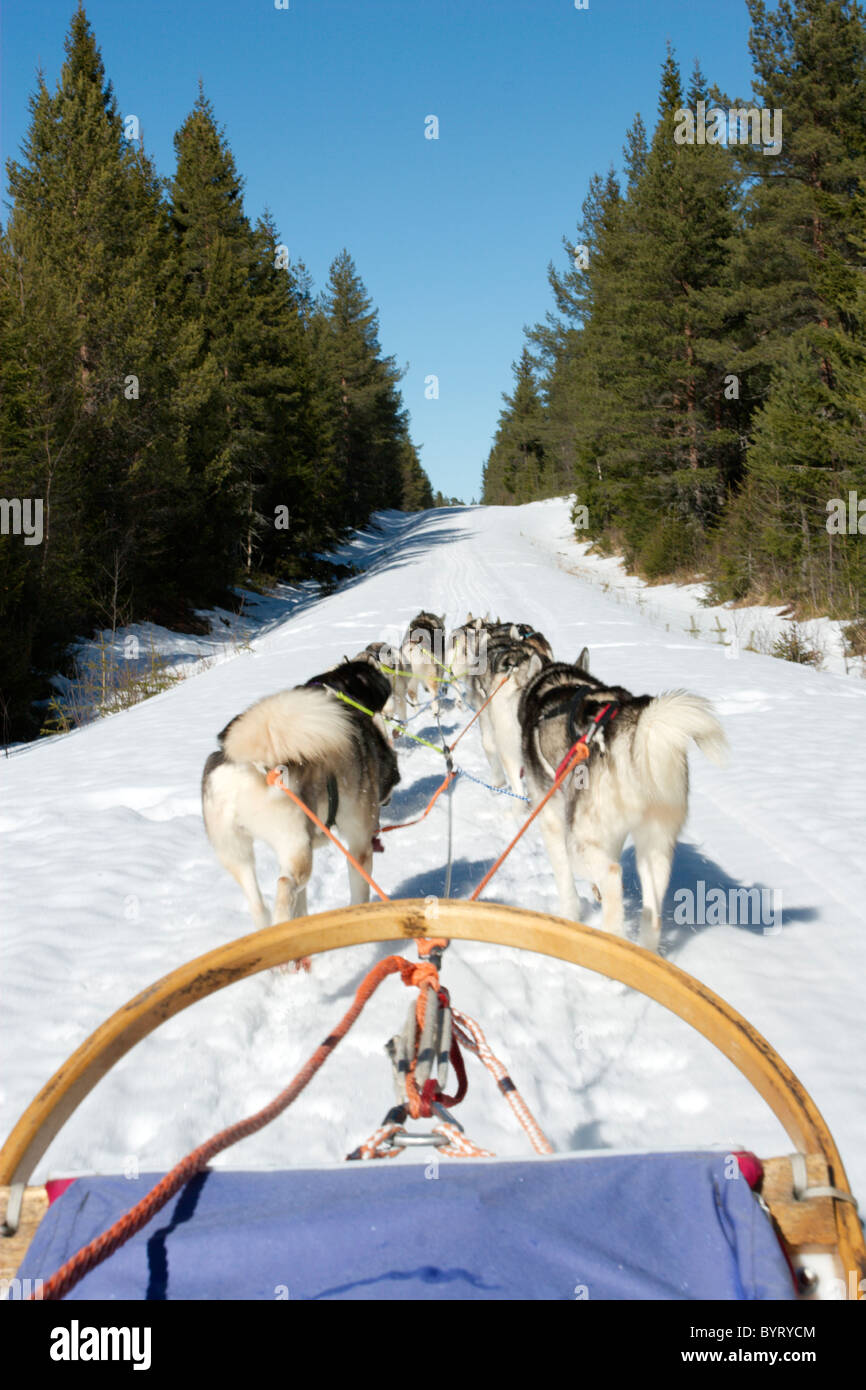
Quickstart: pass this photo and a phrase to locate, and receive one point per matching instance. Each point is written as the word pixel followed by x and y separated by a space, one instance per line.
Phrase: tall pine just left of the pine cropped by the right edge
pixel 675 234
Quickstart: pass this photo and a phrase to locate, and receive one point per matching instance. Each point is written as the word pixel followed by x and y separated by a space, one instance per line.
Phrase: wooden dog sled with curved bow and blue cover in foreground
pixel 679 1227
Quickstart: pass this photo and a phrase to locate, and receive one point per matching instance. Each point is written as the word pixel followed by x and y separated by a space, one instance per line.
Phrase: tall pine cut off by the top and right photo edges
pixel 797 269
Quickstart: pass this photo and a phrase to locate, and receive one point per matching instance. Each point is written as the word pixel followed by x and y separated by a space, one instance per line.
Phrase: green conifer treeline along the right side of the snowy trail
pixel 701 384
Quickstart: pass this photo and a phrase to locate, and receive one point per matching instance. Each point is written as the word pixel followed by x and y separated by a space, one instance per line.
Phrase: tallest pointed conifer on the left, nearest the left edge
pixel 84 270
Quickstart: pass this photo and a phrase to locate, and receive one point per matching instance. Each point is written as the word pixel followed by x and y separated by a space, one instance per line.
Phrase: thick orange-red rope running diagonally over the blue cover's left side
pixel 414 974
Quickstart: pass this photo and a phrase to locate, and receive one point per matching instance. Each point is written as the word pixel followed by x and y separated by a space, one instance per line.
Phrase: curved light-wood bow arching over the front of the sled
pixel 600 951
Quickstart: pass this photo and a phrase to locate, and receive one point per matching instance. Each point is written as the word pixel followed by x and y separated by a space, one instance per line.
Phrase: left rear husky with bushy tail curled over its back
pixel 333 757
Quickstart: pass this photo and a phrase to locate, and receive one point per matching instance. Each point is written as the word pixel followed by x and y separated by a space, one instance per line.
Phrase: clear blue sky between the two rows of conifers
pixel 325 108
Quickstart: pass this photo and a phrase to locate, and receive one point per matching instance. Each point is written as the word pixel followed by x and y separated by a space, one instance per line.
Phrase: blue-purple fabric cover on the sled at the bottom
pixel 615 1227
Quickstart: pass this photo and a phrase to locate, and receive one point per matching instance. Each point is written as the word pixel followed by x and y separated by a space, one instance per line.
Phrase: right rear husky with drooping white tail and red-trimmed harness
pixel 635 783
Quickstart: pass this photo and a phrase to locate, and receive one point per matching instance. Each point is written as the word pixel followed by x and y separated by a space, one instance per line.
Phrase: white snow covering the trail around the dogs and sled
pixel 109 883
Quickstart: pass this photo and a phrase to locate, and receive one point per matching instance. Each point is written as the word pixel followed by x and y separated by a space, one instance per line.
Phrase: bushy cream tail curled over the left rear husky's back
pixel 297 726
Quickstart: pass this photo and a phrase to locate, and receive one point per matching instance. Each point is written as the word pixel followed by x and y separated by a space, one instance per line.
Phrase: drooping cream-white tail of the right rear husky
pixel 662 737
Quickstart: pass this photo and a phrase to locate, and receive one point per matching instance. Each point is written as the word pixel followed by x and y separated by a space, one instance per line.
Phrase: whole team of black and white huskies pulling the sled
pixel 338 760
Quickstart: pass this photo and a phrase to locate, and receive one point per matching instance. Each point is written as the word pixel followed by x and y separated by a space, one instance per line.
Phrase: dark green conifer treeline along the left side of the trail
pixel 179 412
